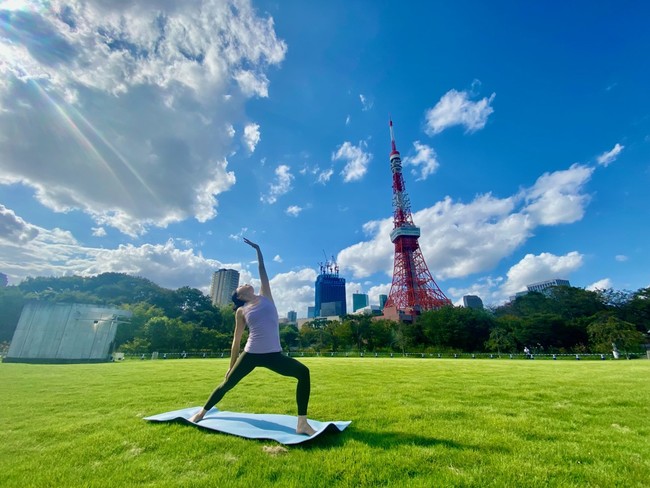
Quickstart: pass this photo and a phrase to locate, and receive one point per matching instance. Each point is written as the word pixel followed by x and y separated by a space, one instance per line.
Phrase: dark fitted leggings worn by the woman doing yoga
pixel 276 362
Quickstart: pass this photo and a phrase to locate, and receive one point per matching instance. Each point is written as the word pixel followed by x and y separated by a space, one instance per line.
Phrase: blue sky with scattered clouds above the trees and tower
pixel 148 137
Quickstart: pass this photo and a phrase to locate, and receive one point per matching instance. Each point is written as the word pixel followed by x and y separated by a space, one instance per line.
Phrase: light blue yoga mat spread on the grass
pixel 280 428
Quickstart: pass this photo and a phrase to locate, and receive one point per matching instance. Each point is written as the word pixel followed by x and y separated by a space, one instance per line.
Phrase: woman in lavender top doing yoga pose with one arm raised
pixel 263 347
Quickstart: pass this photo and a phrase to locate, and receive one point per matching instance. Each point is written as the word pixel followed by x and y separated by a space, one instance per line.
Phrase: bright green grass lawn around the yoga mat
pixel 416 422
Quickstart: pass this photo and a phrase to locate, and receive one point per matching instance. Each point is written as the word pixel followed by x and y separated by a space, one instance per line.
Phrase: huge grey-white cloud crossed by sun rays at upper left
pixel 124 93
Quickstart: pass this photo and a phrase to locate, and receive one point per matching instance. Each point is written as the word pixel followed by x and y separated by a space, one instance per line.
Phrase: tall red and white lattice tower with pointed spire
pixel 413 290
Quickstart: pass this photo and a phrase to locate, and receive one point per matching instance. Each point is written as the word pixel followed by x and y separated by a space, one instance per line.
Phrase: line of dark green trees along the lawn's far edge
pixel 561 320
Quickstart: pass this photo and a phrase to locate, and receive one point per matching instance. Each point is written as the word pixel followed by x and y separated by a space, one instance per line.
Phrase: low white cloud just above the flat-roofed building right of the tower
pixel 545 266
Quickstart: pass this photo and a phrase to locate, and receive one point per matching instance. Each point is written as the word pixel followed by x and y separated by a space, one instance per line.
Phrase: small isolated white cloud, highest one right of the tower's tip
pixel 455 108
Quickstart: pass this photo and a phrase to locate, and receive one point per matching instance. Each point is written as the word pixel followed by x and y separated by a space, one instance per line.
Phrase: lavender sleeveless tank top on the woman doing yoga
pixel 263 329
